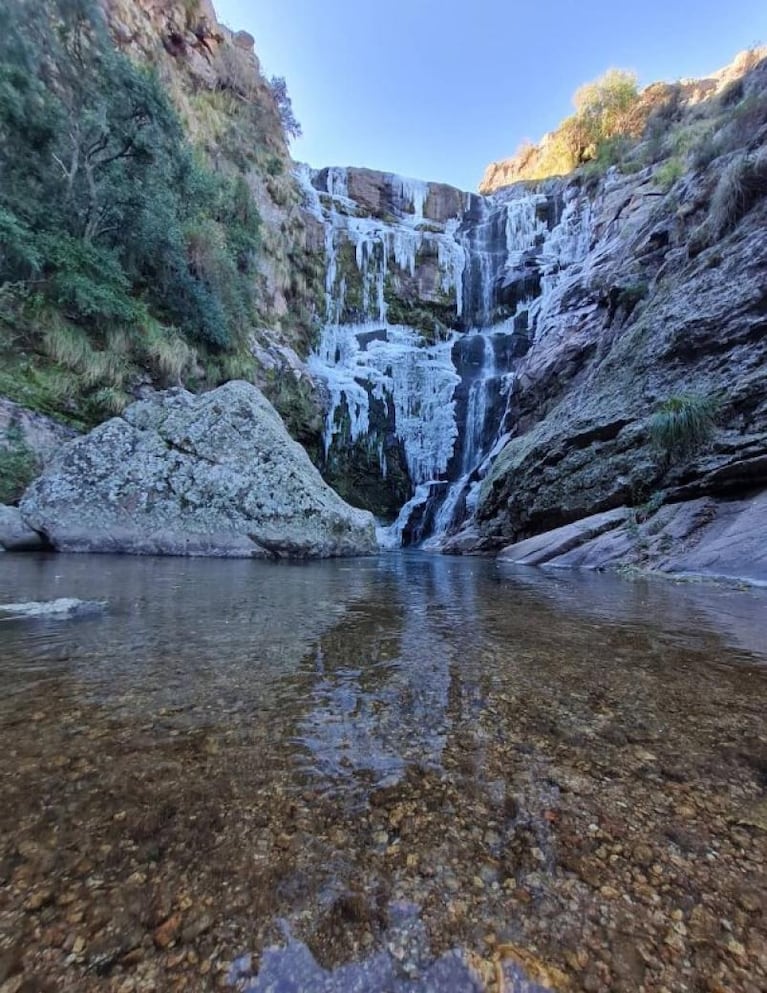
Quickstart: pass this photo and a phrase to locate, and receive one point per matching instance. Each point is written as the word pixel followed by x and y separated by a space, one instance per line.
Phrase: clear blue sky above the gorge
pixel 437 89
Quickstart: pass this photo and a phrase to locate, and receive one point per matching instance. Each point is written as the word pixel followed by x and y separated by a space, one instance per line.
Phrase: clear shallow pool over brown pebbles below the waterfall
pixel 405 772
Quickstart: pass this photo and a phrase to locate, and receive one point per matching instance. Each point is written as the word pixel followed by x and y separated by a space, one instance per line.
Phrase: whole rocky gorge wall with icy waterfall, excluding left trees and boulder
pixel 478 370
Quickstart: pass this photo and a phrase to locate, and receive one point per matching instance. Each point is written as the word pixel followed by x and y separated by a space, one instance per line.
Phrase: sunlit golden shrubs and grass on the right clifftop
pixel 616 123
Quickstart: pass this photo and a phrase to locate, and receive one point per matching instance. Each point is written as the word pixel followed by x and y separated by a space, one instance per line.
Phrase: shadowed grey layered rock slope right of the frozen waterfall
pixel 667 307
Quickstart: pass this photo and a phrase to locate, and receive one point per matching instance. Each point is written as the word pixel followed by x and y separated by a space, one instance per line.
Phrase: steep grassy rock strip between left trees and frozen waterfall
pixel 214 78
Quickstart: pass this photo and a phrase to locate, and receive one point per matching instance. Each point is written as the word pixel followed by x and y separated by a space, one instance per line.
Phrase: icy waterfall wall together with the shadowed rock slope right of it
pixel 541 334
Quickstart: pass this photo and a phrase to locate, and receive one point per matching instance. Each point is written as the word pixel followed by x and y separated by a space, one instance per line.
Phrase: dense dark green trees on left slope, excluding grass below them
pixel 99 190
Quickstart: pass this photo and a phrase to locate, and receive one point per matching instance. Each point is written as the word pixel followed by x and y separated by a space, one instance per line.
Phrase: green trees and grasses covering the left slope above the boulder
pixel 127 254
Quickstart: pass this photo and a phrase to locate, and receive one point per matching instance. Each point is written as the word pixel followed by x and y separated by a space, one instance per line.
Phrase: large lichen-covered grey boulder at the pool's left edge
pixel 178 474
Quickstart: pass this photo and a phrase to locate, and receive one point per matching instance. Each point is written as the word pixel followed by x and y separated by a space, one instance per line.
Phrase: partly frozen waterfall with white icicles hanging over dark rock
pixel 486 271
